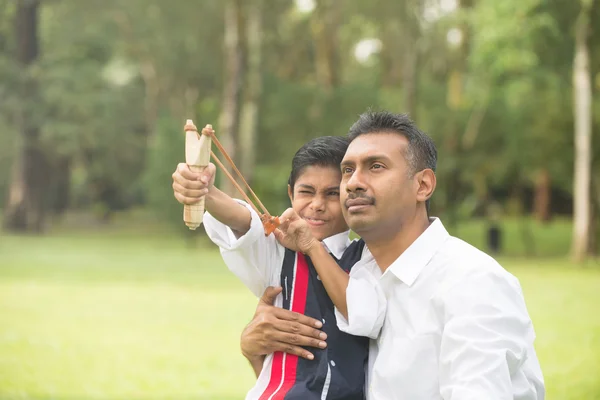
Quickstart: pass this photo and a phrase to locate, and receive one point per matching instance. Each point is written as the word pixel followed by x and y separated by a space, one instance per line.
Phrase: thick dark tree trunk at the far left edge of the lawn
pixel 24 211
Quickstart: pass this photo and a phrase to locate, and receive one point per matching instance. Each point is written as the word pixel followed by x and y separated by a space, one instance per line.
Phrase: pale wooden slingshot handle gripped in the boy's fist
pixel 197 157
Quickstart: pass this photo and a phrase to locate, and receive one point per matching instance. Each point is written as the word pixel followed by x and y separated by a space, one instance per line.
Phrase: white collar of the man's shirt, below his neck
pixel 411 262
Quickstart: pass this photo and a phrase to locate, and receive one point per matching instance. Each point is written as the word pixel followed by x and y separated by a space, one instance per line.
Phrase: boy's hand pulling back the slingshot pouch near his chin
pixel 294 232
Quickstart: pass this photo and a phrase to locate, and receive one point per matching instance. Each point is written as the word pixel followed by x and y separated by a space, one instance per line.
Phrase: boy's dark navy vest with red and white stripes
pixel 339 369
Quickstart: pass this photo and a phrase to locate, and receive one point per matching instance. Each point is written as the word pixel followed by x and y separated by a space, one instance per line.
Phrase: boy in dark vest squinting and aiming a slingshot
pixel 259 261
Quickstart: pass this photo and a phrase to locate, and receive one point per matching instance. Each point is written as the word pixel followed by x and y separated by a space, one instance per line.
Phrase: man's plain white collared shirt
pixel 446 322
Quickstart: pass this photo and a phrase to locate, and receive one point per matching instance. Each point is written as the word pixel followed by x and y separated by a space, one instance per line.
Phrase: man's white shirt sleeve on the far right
pixel 486 341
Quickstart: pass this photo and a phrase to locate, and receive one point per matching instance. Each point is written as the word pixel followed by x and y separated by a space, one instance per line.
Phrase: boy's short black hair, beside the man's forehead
pixel 324 151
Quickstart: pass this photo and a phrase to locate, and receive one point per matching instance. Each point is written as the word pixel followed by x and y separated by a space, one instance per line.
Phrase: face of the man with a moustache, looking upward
pixel 377 193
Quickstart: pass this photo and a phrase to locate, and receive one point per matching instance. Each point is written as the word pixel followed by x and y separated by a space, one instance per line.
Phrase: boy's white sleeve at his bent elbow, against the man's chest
pixel 366 305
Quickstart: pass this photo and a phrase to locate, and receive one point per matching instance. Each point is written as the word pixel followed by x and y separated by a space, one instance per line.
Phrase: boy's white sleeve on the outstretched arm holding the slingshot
pixel 254 258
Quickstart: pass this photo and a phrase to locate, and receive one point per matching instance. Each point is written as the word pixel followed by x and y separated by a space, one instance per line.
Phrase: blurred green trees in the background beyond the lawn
pixel 94 96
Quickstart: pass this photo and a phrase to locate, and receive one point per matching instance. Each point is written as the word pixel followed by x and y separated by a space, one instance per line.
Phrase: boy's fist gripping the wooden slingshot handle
pixel 189 187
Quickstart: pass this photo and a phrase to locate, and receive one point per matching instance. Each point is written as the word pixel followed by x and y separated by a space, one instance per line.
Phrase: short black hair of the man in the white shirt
pixel 421 152
